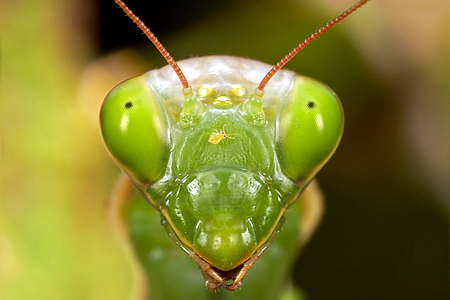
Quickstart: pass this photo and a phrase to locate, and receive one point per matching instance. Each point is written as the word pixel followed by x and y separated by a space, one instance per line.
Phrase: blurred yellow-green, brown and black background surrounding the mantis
pixel 385 231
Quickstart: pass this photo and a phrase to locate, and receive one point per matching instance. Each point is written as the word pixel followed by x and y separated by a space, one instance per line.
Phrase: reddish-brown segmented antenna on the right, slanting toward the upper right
pixel 260 90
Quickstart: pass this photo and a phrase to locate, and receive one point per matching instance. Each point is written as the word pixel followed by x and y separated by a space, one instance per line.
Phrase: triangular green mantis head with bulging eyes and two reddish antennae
pixel 222 153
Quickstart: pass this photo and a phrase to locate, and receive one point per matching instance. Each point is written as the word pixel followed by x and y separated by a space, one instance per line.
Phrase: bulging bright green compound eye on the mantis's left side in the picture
pixel 135 130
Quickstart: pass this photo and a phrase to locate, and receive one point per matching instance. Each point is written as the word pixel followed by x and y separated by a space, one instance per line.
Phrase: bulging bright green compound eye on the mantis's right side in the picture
pixel 309 128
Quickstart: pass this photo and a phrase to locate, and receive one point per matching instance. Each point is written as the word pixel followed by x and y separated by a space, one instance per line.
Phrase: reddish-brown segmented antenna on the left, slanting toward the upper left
pixel 186 87
